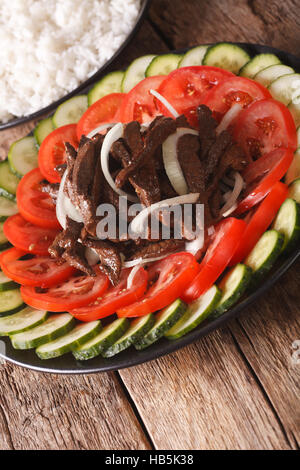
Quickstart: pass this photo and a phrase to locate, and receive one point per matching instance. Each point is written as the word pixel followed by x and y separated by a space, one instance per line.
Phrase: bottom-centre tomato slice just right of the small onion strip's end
pixel 173 275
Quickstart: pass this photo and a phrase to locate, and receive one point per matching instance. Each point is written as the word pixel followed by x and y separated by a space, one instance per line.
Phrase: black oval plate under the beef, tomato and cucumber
pixel 130 357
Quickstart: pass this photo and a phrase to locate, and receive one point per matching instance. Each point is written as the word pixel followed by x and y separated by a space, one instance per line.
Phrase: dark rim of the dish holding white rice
pixel 87 83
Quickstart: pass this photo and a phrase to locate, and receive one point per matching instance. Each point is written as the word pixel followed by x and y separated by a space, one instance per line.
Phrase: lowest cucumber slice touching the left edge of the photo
pixel 22 321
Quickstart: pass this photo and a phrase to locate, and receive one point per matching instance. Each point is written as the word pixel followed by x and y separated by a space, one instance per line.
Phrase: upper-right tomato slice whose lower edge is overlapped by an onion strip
pixel 233 90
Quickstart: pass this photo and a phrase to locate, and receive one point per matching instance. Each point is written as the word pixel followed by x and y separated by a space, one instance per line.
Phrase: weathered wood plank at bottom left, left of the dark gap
pixel 41 411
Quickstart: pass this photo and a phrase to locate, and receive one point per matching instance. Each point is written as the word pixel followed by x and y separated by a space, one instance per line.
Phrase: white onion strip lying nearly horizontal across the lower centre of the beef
pixel 136 225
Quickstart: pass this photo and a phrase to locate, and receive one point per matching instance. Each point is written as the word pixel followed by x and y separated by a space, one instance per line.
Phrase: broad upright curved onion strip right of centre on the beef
pixel 171 163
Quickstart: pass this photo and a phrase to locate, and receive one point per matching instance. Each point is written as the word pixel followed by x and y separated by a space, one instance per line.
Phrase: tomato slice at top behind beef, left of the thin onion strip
pixel 139 104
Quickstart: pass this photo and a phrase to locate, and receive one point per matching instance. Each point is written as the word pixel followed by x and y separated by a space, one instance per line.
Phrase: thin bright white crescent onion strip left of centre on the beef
pixel 114 134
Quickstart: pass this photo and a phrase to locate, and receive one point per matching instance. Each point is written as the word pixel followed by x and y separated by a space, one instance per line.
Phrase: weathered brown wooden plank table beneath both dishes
pixel 238 388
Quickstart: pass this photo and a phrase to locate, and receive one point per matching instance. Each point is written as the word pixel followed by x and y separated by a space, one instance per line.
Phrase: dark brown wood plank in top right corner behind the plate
pixel 194 22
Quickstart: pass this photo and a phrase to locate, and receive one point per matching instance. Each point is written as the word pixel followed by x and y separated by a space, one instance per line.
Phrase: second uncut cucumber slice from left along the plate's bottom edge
pixel 69 342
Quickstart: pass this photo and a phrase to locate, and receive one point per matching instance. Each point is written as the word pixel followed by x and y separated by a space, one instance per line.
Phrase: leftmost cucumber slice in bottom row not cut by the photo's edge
pixel 54 327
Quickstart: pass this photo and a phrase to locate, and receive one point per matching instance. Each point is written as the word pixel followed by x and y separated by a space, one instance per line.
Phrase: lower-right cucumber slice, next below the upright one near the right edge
pixel 265 253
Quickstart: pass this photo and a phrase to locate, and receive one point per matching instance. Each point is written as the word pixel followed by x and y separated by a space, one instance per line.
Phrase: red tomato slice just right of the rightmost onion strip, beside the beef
pixel 268 169
